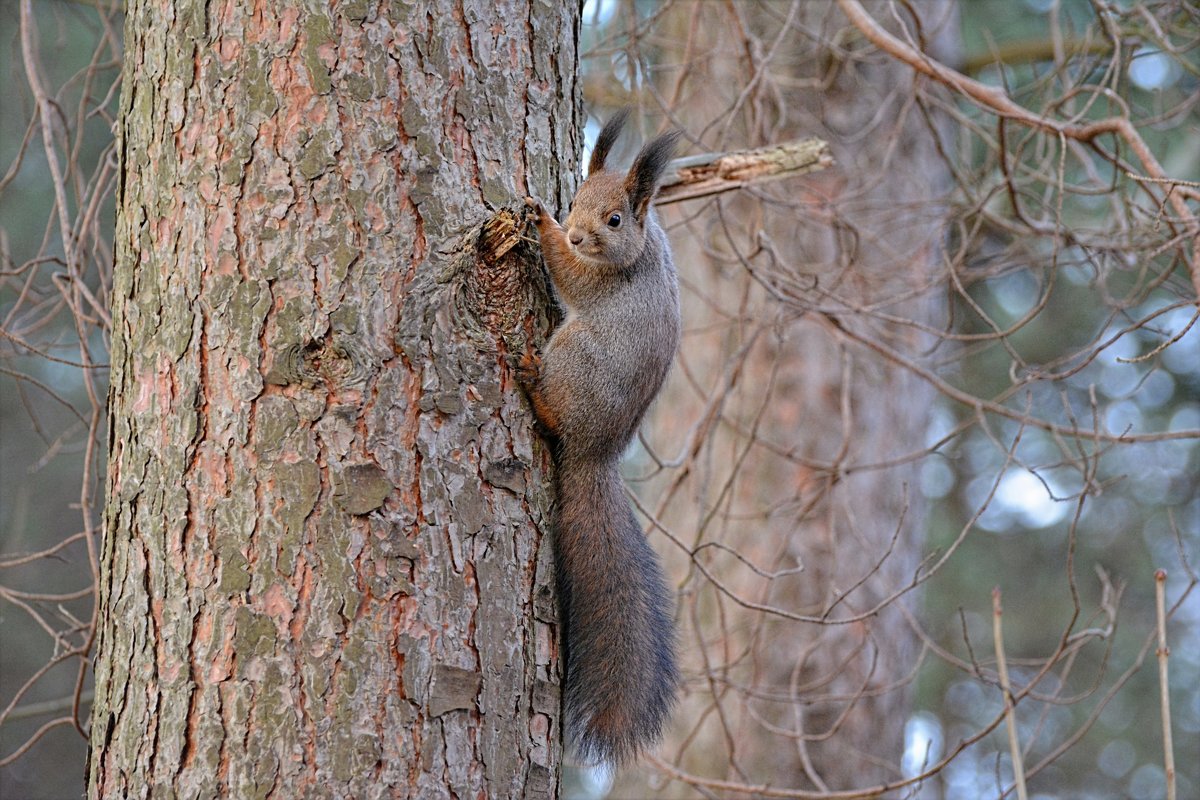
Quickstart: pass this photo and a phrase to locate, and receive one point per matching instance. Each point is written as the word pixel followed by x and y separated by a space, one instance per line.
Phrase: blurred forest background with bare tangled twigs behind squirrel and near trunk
pixel 1049 356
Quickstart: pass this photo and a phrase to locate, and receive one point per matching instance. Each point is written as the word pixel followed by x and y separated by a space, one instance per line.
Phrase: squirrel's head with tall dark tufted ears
pixel 609 215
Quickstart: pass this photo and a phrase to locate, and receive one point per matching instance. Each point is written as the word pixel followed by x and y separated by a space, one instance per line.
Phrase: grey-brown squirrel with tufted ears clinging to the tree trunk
pixel 611 267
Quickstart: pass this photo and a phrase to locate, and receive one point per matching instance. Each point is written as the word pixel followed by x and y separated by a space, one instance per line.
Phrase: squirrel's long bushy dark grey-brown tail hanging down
pixel 621 667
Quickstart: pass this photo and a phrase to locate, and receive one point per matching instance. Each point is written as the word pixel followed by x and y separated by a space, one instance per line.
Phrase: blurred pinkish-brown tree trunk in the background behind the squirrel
pixel 808 468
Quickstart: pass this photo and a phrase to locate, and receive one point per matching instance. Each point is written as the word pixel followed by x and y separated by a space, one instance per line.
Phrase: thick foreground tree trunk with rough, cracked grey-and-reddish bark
pixel 325 563
